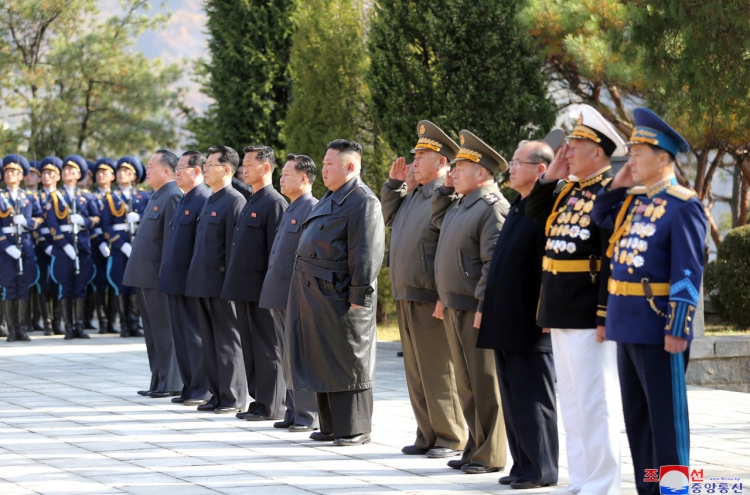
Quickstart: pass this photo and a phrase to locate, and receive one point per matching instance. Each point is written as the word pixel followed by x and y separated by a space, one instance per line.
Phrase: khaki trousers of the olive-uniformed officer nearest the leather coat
pixel 430 377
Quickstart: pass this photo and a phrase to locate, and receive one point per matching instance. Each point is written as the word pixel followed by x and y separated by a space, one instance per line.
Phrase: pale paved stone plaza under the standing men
pixel 72 423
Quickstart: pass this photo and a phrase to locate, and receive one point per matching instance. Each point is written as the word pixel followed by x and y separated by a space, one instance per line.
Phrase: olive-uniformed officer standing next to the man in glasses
pixel 469 210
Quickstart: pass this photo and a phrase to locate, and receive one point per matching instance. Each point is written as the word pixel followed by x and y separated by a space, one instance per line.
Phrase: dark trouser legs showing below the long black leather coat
pixel 345 413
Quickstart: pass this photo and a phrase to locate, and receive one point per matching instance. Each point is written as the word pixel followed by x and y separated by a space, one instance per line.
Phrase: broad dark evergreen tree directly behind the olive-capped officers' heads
pixel 461 64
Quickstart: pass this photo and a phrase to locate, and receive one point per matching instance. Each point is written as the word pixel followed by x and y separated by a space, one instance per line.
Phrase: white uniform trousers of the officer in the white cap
pixel 591 409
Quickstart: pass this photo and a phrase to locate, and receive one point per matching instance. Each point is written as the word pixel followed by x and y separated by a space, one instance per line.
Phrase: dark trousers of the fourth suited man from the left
pixel 261 350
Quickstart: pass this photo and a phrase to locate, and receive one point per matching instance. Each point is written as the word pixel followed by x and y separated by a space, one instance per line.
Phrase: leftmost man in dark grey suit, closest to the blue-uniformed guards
pixel 142 272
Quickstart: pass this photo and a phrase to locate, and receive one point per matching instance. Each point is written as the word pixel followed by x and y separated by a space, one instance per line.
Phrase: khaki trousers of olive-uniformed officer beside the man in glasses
pixel 478 391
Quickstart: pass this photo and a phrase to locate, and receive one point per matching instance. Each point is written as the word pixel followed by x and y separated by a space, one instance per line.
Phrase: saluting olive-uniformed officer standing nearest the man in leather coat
pixel 441 430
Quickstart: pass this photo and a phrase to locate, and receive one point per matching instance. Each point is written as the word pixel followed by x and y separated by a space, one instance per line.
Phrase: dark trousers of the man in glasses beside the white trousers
pixel 527 388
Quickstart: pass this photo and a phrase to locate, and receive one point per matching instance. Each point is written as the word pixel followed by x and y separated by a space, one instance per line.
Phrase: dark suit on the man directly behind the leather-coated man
pixel 301 407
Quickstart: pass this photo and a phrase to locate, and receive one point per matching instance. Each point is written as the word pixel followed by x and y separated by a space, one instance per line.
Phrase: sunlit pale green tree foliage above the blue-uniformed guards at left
pixel 72 82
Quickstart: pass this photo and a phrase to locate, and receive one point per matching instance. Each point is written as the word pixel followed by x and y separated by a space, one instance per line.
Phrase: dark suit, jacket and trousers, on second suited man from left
pixel 182 309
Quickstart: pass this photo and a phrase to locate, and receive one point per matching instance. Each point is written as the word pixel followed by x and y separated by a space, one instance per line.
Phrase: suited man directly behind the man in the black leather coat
pixel 296 181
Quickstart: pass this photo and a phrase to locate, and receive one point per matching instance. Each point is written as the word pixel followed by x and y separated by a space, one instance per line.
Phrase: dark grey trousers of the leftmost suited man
pixel 157 330
